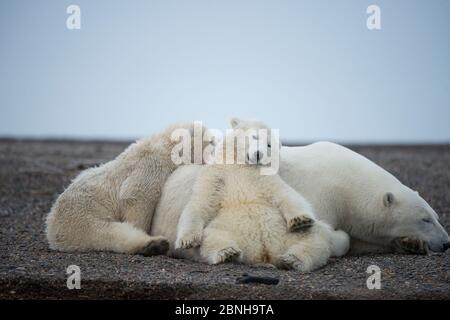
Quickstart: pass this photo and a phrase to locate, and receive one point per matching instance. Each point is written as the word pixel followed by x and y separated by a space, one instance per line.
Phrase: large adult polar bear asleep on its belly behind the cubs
pixel 346 190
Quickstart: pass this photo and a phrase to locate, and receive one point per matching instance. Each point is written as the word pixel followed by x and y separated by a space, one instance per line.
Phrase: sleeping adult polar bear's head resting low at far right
pixel 410 223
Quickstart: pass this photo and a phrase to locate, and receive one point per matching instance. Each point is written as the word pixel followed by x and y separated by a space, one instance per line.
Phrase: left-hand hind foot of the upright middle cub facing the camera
pixel 218 247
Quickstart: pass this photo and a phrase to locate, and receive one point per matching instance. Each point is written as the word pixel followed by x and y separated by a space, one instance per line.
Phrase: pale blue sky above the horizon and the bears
pixel 310 68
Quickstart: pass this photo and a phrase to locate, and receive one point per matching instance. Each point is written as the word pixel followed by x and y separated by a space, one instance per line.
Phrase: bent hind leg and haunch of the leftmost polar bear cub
pixel 76 224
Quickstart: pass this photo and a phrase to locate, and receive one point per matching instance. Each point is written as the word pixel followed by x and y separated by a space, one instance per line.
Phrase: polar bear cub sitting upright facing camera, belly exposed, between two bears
pixel 235 213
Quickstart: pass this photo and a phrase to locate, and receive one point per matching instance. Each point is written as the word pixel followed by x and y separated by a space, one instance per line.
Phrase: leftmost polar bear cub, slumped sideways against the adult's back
pixel 110 207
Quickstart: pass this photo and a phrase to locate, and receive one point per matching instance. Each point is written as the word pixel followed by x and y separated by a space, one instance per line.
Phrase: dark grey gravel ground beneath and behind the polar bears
pixel 32 173
